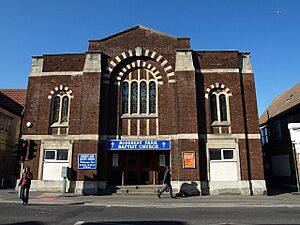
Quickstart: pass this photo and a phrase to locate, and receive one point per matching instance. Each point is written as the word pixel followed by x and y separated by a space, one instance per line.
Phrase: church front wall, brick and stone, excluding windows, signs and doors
pixel 185 80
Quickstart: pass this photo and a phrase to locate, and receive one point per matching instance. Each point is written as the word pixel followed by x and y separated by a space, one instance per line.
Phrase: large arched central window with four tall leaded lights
pixel 139 94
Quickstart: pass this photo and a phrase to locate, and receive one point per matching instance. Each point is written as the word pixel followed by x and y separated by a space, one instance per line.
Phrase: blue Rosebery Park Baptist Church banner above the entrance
pixel 138 144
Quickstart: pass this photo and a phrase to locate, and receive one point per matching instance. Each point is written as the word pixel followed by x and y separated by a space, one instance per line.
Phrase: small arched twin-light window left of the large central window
pixel 60 108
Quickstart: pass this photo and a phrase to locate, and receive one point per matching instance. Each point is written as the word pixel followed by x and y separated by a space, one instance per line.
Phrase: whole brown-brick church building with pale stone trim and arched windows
pixel 138 101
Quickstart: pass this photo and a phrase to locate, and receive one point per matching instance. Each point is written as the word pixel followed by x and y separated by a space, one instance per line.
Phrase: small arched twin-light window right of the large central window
pixel 219 107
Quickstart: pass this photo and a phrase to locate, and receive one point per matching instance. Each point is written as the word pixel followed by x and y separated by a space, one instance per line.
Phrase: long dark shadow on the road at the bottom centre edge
pixel 138 223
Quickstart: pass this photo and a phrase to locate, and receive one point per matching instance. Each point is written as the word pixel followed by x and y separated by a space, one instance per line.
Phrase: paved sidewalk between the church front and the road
pixel 37 198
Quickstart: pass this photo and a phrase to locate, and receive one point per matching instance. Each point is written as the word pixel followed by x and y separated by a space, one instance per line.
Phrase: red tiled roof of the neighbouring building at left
pixel 13 99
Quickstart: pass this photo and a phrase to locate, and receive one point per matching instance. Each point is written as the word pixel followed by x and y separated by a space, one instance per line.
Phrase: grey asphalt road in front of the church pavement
pixel 16 214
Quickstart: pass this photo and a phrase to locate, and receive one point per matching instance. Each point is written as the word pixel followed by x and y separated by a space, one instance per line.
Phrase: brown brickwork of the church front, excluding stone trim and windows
pixel 182 107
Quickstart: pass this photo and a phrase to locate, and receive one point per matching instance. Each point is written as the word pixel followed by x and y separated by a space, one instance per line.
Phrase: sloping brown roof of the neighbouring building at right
pixel 282 103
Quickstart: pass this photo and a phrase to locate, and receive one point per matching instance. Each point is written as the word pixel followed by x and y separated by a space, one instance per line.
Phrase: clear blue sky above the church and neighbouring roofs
pixel 269 29
